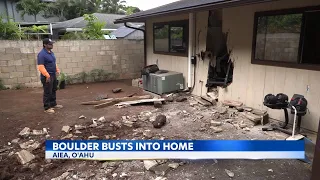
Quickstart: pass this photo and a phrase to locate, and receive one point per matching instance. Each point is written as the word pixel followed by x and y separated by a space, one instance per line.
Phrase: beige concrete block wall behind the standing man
pixel 18 59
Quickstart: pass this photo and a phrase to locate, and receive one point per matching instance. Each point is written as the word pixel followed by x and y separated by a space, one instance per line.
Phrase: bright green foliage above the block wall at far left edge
pixel 10 30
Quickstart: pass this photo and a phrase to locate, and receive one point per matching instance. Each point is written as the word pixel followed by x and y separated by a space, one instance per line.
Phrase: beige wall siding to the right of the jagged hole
pixel 252 82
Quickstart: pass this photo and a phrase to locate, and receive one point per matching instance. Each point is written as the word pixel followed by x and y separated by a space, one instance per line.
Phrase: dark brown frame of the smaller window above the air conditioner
pixel 172 24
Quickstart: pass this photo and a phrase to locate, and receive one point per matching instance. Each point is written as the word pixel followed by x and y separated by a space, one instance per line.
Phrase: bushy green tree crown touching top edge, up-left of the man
pixel 30 7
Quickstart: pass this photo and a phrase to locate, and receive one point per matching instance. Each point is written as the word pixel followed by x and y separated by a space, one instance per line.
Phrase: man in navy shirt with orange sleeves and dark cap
pixel 49 72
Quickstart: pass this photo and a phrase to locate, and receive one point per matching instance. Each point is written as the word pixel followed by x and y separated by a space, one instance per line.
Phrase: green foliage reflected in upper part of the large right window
pixel 280 24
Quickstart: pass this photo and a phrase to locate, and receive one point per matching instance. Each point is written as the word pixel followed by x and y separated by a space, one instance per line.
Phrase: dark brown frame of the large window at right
pixel 298 64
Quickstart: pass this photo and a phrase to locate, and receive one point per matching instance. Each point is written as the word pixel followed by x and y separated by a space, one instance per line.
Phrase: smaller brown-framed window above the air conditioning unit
pixel 171 38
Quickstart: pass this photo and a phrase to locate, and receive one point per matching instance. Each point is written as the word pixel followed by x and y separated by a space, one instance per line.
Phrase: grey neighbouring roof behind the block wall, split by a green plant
pixel 81 23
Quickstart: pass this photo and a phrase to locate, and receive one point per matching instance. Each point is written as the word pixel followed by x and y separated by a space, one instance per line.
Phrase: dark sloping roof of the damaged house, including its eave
pixel 185 6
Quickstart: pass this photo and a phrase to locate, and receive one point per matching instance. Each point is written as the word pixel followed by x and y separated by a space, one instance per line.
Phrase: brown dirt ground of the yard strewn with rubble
pixel 23 108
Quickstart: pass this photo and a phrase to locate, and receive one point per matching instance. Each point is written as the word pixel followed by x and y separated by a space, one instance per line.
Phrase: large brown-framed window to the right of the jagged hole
pixel 288 38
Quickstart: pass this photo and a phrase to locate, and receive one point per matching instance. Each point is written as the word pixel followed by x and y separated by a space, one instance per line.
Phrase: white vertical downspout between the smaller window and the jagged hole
pixel 190 48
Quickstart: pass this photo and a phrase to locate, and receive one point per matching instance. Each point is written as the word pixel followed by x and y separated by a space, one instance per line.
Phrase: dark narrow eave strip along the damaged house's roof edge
pixel 225 4
